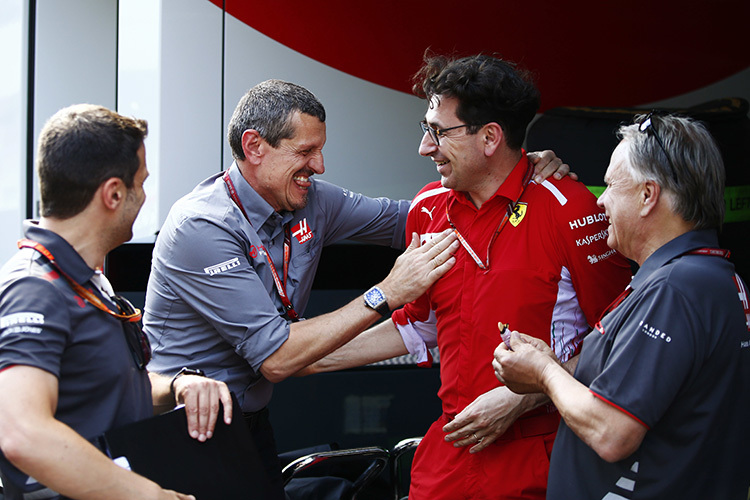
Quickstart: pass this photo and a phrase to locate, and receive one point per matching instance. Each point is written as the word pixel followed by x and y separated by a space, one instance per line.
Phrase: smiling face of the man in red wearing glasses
pixel 460 156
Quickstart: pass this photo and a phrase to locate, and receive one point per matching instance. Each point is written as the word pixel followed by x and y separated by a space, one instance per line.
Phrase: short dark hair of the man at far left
pixel 80 147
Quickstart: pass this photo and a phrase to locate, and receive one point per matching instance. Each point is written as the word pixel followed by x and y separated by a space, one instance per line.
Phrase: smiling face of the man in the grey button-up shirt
pixel 282 177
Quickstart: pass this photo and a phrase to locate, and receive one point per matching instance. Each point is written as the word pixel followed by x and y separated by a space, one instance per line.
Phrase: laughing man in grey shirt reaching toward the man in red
pixel 234 263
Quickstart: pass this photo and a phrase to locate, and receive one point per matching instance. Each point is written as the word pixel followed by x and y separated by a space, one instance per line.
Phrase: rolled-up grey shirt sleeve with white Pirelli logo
pixel 208 266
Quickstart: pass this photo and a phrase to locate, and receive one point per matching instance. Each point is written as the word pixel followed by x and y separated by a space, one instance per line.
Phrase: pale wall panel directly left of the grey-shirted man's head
pixel 191 128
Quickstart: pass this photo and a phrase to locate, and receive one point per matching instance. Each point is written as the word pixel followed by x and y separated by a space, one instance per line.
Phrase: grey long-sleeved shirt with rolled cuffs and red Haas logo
pixel 211 301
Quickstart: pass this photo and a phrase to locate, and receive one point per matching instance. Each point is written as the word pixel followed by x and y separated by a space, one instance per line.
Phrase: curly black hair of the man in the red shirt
pixel 488 90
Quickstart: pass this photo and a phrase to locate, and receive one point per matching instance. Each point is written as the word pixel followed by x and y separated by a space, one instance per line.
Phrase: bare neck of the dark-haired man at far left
pixel 85 238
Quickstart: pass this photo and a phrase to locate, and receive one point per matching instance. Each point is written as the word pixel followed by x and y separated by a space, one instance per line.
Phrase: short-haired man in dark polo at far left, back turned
pixel 72 358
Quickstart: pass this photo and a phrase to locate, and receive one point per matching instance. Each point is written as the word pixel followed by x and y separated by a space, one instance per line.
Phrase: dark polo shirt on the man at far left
pixel 45 324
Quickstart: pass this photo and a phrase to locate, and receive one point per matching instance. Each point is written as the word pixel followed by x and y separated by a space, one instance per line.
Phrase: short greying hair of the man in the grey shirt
pixel 267 108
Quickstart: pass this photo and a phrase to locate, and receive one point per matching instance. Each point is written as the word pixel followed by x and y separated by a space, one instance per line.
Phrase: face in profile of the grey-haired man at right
pixel 620 202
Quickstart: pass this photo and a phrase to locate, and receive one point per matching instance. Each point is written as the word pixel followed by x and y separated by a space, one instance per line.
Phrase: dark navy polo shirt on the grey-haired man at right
pixel 675 354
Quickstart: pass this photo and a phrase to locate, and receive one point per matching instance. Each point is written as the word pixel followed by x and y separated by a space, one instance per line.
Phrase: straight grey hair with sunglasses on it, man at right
pixel 696 185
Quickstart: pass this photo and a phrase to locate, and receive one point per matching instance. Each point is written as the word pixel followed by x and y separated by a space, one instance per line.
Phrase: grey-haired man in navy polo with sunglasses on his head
pixel 659 402
